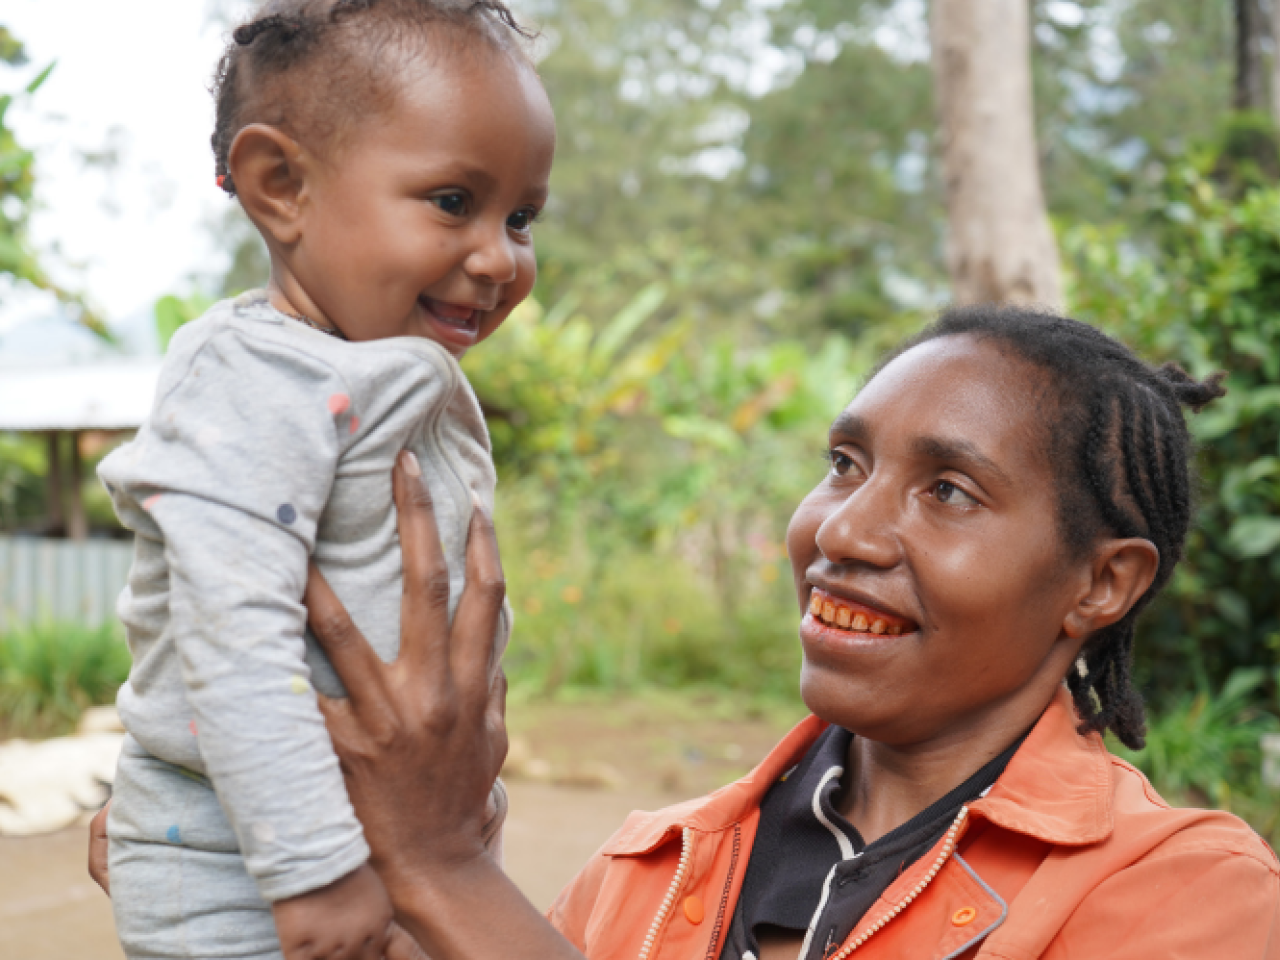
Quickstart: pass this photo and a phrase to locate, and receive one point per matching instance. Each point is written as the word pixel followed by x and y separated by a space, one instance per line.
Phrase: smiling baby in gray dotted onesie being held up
pixel 394 154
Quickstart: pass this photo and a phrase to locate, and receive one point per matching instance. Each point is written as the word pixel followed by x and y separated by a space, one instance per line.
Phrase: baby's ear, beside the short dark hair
pixel 269 171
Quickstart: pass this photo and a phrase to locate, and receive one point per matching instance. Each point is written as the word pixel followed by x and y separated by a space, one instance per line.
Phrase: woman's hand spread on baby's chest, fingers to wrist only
pixel 420 740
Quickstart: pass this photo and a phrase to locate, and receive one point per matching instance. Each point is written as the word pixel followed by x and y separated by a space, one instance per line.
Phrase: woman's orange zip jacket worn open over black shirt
pixel 1072 856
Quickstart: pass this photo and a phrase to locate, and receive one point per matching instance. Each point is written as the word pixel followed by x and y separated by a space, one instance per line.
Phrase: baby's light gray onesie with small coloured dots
pixel 269 444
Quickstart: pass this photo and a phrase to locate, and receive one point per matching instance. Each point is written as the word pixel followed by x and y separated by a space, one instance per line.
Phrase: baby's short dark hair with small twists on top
pixel 313 67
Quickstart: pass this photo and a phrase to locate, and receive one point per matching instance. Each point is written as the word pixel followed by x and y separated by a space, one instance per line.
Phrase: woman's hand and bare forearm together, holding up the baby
pixel 422 742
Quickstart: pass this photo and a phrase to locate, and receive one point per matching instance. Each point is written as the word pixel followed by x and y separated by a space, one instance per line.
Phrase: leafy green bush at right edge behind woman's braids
pixel 1208 298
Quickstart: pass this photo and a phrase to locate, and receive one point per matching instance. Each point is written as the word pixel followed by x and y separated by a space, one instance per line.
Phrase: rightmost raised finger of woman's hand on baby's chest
pixel 481 609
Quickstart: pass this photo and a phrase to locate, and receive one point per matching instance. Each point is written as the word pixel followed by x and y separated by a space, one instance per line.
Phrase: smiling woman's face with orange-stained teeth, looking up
pixel 932 550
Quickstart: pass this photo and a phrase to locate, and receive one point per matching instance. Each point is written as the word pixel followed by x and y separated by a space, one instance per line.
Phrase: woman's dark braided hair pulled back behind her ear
pixel 1122 455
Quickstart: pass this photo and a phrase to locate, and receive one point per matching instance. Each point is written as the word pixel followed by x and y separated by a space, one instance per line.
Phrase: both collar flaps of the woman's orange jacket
pixel 1057 788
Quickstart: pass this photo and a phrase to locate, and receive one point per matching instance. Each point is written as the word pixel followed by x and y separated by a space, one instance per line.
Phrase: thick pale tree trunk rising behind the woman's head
pixel 1000 244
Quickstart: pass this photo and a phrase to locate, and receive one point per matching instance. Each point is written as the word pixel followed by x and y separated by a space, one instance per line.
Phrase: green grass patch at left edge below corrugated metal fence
pixel 51 673
